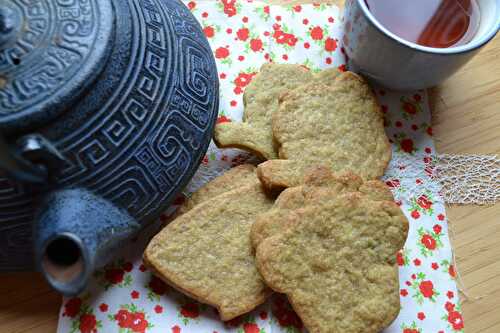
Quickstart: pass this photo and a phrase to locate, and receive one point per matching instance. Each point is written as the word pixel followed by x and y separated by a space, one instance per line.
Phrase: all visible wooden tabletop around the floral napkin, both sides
pixel 466 119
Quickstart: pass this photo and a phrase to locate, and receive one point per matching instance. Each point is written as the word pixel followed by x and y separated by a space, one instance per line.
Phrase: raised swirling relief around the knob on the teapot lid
pixel 58 40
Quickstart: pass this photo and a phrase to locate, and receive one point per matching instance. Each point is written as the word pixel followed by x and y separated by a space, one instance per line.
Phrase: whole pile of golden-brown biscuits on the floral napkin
pixel 312 221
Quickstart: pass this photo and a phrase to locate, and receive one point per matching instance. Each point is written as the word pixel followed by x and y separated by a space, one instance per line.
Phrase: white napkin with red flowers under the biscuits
pixel 125 297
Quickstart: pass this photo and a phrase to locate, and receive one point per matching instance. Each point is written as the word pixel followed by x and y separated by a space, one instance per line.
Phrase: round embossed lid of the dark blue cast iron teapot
pixel 50 54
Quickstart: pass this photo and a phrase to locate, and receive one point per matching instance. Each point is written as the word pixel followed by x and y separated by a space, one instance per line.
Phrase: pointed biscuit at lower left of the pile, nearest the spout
pixel 206 252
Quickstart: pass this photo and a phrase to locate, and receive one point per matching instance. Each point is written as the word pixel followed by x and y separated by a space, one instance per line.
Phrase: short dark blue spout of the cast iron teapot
pixel 77 232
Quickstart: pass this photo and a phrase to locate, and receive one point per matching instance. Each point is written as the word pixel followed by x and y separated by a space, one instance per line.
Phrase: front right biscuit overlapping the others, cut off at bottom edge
pixel 336 262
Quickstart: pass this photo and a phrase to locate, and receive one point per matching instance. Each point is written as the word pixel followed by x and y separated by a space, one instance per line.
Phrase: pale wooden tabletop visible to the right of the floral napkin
pixel 466 120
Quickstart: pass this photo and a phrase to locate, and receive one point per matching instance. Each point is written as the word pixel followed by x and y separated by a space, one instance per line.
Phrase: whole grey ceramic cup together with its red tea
pixel 408 44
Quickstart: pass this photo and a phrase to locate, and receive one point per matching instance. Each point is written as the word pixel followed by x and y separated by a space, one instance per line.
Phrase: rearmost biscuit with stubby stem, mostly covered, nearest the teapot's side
pixel 254 133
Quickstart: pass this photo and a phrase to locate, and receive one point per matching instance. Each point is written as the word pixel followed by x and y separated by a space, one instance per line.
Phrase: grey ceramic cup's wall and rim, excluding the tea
pixel 395 63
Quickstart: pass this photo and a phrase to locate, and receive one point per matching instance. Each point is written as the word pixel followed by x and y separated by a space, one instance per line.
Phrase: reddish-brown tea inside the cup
pixel 433 23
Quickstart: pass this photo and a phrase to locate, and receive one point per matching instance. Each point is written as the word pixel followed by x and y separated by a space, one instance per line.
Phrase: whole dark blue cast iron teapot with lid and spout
pixel 106 110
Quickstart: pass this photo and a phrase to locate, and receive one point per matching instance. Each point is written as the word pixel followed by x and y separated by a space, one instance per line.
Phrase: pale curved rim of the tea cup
pixel 444 51
